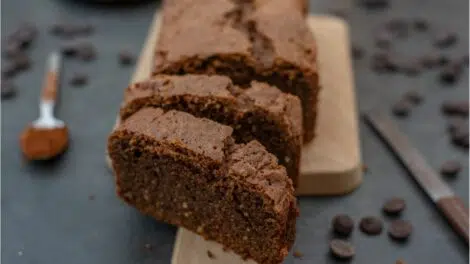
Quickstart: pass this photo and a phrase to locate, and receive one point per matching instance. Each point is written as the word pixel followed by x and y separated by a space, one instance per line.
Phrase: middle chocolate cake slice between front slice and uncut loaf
pixel 260 112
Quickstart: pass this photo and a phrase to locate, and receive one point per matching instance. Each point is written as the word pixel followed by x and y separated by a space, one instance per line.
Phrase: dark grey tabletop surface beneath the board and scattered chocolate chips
pixel 47 216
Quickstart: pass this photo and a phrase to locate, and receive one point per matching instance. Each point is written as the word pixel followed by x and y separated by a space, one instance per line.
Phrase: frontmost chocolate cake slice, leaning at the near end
pixel 187 171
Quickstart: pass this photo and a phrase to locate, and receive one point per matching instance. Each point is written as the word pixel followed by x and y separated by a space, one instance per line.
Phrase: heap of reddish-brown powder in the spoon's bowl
pixel 42 144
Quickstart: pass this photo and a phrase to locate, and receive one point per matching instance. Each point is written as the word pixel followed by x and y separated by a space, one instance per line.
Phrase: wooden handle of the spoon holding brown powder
pixel 49 90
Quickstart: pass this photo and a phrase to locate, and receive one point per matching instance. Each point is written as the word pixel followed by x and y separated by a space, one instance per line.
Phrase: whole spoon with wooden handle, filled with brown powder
pixel 47 136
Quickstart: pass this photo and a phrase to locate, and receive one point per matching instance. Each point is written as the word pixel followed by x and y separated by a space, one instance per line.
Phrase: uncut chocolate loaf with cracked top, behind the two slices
pixel 263 40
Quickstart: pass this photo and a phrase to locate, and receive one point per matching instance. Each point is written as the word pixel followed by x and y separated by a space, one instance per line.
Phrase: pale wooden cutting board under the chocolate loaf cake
pixel 331 165
